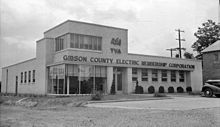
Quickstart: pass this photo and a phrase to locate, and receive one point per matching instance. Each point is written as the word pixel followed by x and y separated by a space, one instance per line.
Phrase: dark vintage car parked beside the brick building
pixel 211 87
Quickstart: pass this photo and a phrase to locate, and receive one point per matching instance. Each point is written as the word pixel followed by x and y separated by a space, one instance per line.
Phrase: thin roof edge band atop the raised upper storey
pixel 85 23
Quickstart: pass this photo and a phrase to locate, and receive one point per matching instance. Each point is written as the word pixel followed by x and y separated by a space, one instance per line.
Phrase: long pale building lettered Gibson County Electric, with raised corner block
pixel 78 58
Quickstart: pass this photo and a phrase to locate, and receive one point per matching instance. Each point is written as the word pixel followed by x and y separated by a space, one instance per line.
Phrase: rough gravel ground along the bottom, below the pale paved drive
pixel 14 116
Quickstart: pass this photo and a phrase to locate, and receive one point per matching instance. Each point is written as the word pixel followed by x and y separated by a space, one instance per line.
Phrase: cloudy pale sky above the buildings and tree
pixel 151 24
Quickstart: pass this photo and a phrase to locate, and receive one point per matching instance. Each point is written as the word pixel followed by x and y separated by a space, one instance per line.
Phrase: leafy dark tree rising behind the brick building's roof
pixel 206 35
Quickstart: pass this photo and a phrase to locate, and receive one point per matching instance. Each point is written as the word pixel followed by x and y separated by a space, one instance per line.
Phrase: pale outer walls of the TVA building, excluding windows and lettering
pixel 46 56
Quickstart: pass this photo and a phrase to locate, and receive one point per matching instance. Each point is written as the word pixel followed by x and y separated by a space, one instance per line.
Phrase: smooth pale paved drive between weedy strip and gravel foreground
pixel 177 103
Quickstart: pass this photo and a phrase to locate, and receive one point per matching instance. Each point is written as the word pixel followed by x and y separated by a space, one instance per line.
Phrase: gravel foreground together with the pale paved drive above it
pixel 190 112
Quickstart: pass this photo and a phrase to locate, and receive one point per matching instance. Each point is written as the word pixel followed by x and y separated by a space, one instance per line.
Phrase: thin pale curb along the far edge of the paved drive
pixel 124 100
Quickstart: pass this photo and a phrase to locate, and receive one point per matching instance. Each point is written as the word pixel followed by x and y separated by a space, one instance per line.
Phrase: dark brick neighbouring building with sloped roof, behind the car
pixel 211 62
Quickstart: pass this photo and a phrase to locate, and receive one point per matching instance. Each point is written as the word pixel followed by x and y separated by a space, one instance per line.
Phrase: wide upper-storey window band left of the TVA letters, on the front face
pixel 85 42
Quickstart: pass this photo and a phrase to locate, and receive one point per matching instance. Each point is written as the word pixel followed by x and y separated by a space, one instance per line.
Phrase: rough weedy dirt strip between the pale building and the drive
pixel 70 101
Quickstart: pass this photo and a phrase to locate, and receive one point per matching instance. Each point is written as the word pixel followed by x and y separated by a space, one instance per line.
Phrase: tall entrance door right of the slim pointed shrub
pixel 117 77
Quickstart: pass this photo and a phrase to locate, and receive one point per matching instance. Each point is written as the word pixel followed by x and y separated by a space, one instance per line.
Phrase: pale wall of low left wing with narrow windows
pixel 15 70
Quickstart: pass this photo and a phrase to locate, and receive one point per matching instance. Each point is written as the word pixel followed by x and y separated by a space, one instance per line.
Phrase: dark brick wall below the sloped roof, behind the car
pixel 211 68
